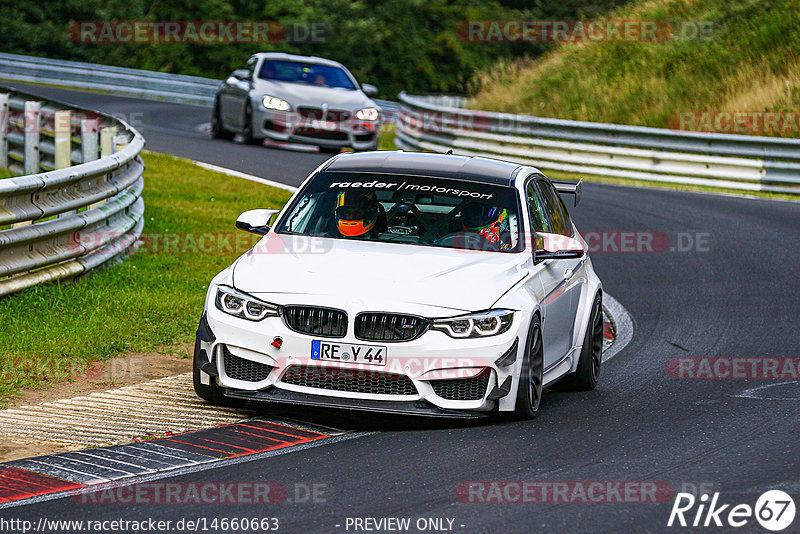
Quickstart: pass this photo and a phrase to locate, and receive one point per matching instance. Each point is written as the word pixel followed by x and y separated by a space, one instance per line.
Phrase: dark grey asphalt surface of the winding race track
pixel 735 296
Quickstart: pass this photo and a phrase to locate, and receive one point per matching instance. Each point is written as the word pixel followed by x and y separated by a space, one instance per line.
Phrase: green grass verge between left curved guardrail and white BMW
pixel 150 302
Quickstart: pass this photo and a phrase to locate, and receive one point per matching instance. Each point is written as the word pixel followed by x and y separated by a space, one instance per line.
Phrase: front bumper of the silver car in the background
pixel 291 127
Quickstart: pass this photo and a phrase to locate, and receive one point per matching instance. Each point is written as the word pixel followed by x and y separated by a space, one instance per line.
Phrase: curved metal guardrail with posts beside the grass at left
pixel 73 210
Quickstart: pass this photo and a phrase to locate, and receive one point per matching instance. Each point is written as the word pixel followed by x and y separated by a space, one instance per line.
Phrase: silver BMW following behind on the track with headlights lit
pixel 297 99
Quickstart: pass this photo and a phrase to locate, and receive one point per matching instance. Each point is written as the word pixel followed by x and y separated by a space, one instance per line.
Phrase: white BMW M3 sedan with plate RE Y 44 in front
pixel 407 283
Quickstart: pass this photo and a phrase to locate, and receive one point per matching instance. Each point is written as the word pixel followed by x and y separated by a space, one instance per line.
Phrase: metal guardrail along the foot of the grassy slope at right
pixel 754 163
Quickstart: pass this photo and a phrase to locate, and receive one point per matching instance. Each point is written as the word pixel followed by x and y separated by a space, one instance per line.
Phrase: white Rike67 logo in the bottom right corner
pixel 774 510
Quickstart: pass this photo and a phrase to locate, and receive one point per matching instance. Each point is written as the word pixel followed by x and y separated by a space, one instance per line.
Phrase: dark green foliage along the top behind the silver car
pixel 408 45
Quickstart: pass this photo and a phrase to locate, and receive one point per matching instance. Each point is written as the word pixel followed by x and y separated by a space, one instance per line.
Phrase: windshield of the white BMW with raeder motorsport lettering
pixel 407 209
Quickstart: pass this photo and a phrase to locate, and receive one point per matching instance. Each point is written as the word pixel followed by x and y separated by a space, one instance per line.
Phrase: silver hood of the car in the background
pixel 314 96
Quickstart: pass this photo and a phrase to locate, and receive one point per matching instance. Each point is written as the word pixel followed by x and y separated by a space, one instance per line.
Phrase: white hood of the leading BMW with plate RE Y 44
pixel 377 276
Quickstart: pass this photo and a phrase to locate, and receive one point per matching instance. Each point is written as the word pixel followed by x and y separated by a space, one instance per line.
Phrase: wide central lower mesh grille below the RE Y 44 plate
pixel 352 381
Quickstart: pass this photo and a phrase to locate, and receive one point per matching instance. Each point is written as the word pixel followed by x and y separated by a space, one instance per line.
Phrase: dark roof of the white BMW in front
pixel 470 168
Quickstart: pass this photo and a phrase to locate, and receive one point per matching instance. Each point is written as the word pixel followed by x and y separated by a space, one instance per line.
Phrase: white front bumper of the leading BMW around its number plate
pixel 433 368
